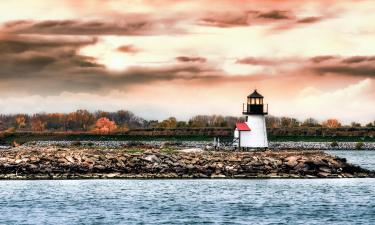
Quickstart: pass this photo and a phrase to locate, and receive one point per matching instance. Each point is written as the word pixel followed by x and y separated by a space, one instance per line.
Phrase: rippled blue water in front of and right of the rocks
pixel 272 201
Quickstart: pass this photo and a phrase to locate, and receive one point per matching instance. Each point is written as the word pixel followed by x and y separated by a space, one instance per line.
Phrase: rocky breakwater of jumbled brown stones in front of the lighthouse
pixel 79 163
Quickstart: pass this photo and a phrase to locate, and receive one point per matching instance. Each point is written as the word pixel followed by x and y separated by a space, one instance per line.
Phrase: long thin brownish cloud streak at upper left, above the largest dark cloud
pixel 126 25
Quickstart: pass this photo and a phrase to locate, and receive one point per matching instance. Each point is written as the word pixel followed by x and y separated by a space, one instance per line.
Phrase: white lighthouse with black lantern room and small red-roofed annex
pixel 252 133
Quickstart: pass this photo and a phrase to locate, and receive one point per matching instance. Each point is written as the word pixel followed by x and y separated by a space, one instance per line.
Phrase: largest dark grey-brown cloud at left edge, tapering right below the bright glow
pixel 55 66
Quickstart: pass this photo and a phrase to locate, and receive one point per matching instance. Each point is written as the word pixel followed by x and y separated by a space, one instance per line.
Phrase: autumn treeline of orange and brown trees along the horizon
pixel 123 121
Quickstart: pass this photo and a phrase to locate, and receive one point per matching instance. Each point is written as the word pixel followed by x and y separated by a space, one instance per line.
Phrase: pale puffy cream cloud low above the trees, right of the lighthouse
pixel 349 103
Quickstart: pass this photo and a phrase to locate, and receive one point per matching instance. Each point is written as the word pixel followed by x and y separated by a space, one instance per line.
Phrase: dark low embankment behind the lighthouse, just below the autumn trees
pixel 313 134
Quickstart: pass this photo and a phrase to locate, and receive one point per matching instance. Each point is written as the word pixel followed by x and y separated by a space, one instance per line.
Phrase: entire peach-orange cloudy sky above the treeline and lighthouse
pixel 161 58
